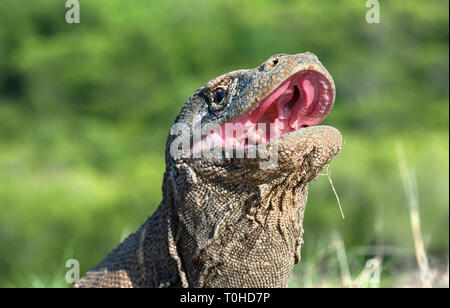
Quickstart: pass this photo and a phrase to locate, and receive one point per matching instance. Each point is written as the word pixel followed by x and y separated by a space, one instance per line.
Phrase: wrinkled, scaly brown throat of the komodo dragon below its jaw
pixel 241 234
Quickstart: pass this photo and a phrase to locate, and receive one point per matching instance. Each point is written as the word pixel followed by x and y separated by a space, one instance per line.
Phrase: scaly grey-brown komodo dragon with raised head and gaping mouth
pixel 229 221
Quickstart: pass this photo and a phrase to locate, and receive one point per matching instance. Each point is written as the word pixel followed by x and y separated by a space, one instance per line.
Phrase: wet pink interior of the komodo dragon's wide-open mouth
pixel 303 100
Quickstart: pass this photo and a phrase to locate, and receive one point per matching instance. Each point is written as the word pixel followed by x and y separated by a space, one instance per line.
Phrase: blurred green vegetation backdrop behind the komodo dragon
pixel 85 110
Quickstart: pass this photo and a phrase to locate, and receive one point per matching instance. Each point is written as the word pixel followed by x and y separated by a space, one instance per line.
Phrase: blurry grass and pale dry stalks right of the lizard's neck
pixel 330 267
